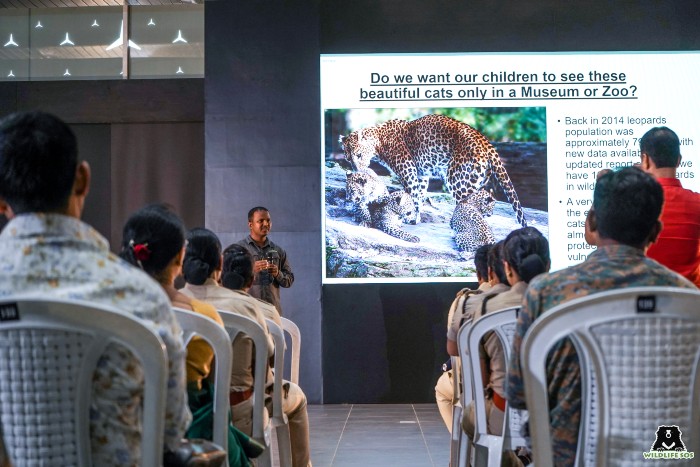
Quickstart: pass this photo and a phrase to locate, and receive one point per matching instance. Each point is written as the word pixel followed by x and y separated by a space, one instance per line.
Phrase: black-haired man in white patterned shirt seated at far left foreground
pixel 48 252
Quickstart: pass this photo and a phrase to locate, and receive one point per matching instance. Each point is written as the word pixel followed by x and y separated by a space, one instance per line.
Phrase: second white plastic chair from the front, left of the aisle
pixel 279 420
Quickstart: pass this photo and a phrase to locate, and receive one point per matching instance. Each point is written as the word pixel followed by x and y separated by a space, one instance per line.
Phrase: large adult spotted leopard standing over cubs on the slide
pixel 433 145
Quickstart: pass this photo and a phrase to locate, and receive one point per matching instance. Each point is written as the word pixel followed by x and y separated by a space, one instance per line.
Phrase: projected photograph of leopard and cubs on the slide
pixel 412 193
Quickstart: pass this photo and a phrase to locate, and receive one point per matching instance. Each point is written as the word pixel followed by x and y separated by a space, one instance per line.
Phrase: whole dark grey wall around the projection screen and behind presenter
pixel 263 120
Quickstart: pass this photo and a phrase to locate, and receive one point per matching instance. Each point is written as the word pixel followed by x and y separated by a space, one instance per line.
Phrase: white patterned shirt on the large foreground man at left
pixel 50 255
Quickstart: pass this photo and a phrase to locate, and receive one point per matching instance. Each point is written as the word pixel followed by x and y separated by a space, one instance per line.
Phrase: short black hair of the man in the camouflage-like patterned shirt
pixel 627 204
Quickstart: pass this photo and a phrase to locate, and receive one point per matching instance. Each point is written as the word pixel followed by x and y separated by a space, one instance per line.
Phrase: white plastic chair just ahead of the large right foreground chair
pixel 488 448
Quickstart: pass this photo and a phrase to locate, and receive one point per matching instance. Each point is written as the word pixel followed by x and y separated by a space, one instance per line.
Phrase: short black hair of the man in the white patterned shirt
pixel 38 159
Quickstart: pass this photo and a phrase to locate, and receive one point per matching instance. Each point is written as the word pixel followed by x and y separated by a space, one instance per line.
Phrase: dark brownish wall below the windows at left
pixel 143 139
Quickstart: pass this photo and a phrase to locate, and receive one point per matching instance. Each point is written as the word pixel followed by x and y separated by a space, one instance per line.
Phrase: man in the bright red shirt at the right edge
pixel 678 245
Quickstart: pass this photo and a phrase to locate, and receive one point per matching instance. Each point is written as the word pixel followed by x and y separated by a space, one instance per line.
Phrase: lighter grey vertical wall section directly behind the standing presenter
pixel 263 144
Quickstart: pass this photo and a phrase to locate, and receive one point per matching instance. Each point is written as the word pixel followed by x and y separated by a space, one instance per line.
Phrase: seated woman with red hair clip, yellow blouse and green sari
pixel 154 240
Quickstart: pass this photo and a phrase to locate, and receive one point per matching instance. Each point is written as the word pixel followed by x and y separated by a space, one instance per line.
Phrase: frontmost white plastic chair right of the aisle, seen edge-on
pixel 460 441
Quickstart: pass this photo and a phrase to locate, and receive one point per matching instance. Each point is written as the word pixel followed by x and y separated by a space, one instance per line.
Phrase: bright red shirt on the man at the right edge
pixel 678 246
